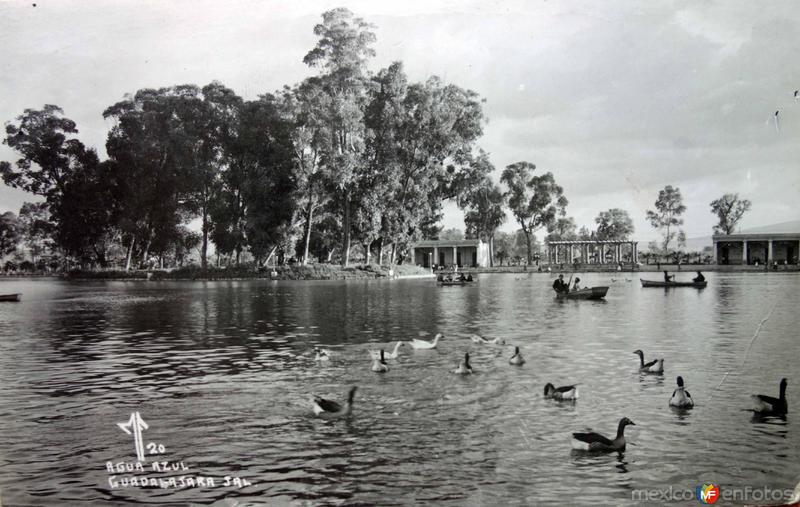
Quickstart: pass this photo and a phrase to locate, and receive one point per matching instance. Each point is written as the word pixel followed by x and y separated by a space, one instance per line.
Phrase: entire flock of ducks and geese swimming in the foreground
pixel 681 399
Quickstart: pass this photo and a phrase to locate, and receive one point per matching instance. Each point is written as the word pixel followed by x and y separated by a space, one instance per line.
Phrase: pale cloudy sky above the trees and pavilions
pixel 616 99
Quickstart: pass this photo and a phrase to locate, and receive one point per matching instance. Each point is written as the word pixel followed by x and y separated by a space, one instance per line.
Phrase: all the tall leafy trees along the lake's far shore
pixel 346 157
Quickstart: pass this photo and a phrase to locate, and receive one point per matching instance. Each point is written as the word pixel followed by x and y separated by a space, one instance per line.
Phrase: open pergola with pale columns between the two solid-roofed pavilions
pixel 592 252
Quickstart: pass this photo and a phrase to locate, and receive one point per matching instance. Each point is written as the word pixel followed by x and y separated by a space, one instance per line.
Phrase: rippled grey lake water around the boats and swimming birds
pixel 221 373
